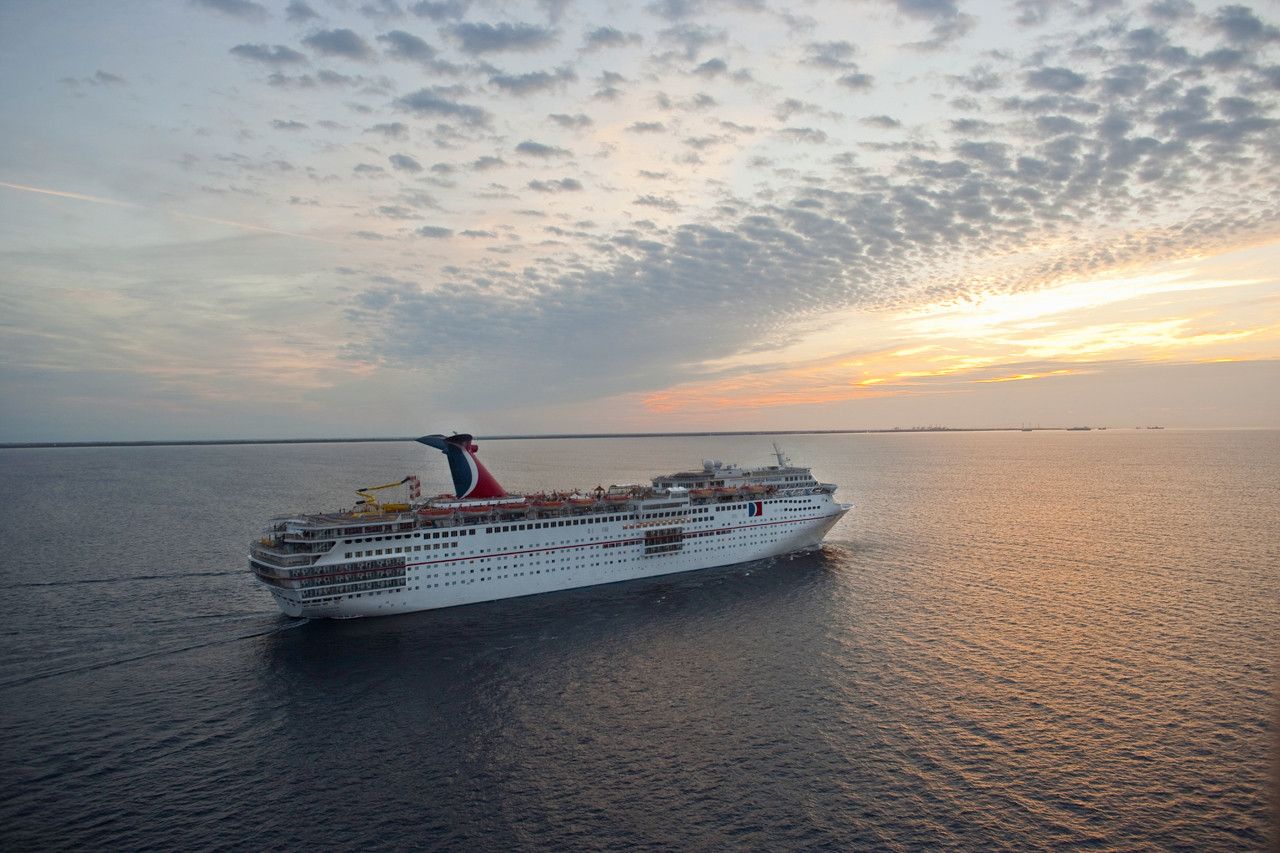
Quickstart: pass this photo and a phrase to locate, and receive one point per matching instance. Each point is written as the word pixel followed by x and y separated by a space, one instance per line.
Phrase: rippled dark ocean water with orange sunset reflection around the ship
pixel 1014 642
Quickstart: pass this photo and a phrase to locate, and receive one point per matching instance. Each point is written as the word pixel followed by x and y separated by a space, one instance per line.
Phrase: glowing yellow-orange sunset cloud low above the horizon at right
pixel 1008 339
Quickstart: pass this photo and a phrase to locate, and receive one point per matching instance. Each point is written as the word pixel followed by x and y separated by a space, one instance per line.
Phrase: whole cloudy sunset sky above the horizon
pixel 330 218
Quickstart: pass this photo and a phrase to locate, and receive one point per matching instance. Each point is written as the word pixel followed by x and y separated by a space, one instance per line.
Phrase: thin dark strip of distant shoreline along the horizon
pixel 214 443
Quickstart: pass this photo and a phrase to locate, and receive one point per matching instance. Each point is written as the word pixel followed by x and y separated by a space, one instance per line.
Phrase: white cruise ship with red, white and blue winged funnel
pixel 482 544
